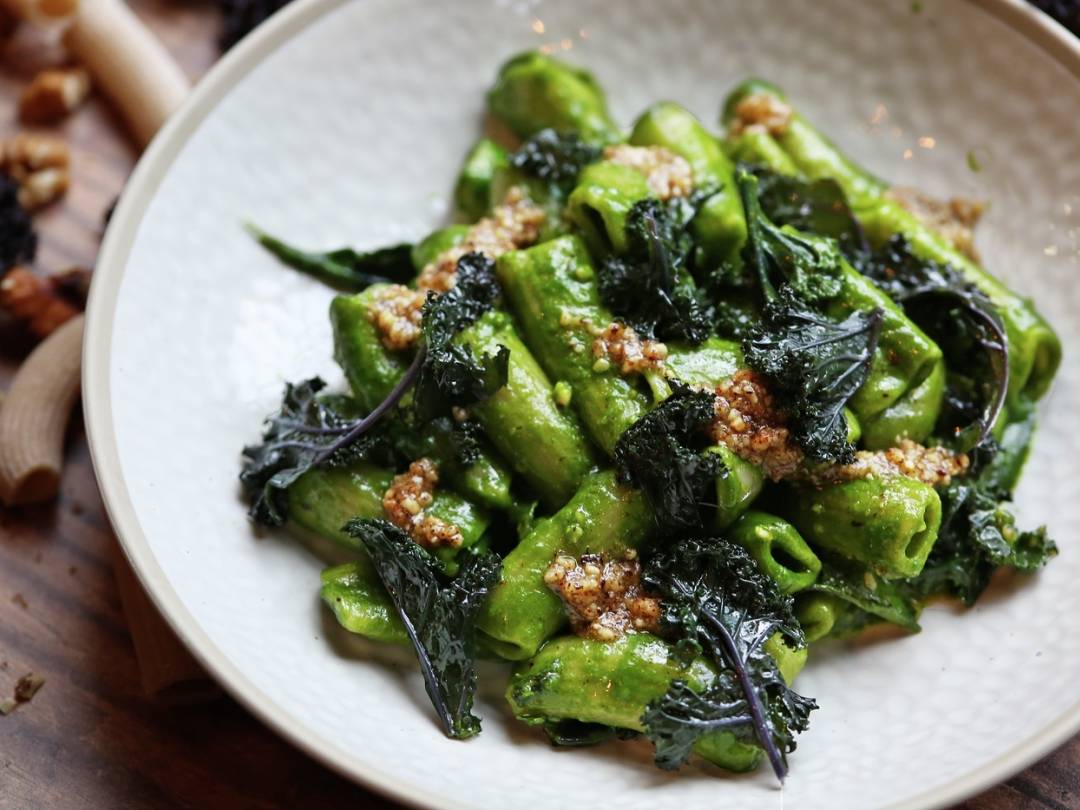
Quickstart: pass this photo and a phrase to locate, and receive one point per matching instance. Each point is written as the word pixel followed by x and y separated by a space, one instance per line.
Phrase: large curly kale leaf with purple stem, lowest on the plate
pixel 717 602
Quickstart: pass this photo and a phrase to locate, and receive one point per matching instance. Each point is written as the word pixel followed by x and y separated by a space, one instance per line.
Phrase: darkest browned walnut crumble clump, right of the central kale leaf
pixel 750 425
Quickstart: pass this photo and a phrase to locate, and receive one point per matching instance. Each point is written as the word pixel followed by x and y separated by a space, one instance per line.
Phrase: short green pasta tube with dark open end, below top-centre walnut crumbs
pixel 601 202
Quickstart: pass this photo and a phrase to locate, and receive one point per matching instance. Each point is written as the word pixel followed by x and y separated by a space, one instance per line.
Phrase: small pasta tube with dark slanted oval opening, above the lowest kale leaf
pixel 779 549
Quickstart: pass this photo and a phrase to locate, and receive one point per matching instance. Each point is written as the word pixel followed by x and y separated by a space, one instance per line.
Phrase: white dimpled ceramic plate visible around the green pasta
pixel 344 124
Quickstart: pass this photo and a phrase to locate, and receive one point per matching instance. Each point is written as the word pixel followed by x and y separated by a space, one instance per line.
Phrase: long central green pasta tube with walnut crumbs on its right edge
pixel 552 291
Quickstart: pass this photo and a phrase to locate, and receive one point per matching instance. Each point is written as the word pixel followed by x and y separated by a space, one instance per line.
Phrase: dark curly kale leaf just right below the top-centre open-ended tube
pixel 650 287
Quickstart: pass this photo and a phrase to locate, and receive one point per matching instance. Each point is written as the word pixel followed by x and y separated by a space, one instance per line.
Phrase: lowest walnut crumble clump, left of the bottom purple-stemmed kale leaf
pixel 604 600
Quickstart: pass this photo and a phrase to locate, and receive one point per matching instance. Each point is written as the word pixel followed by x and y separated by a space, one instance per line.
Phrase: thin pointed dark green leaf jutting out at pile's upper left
pixel 345 268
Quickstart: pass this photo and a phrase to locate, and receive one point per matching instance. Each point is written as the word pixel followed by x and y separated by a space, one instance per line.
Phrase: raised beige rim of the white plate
pixel 143 185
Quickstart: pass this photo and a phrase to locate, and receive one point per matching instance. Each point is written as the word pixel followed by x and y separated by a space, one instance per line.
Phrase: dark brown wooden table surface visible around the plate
pixel 90 739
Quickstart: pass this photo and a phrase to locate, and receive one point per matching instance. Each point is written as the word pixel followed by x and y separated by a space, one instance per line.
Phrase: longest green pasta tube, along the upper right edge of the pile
pixel 1035 350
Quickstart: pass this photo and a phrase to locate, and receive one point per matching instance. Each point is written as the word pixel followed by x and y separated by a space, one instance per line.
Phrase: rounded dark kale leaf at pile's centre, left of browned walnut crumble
pixel 661 454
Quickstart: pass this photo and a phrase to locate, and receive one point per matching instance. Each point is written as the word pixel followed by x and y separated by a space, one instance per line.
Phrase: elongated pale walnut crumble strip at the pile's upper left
pixel 514 224
